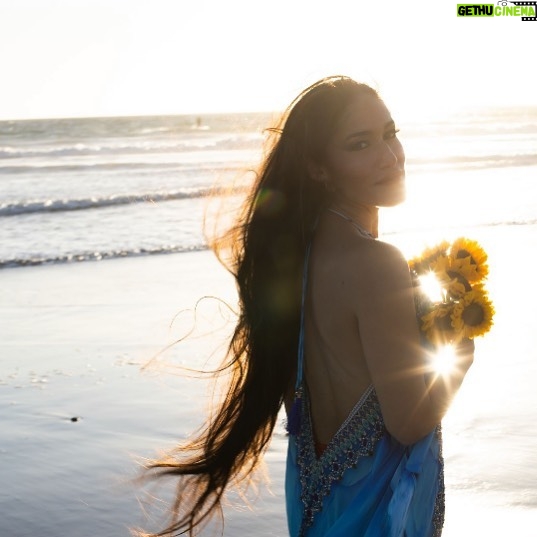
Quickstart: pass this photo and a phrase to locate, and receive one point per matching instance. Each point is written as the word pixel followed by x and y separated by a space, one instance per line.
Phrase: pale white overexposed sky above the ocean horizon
pixel 80 58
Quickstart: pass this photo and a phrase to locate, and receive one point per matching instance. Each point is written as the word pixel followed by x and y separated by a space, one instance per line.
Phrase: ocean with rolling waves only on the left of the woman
pixel 86 189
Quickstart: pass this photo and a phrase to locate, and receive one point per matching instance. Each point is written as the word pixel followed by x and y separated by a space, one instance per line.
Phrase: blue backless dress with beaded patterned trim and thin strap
pixel 365 483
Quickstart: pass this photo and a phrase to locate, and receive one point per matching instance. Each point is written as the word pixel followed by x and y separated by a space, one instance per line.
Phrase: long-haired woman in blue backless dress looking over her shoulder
pixel 364 446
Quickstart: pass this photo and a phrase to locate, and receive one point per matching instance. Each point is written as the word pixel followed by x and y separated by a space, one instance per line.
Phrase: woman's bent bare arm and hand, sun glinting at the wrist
pixel 412 399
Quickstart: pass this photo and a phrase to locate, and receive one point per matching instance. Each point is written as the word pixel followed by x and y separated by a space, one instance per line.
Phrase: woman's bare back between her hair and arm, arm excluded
pixel 335 366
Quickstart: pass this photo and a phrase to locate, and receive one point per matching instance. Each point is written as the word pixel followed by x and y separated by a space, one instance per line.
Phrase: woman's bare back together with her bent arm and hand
pixel 361 329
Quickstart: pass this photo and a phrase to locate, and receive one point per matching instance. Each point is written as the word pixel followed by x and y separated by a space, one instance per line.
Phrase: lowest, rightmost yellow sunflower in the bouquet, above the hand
pixel 472 315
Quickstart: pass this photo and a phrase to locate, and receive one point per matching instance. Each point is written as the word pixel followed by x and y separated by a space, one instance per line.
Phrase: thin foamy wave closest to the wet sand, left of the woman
pixel 97 256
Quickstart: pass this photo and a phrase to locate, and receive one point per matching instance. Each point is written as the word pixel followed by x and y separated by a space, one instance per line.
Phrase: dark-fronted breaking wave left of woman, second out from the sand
pixel 64 205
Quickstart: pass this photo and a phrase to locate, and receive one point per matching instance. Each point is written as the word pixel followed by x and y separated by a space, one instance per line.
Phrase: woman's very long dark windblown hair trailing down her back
pixel 266 251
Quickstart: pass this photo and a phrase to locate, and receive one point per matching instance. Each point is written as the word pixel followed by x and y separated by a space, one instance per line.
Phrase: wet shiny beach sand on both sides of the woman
pixel 79 410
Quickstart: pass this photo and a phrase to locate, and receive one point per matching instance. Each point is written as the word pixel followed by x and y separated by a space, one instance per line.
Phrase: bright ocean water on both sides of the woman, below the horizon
pixel 74 190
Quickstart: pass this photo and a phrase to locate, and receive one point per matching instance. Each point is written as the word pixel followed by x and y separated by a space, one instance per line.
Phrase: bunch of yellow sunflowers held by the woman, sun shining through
pixel 459 307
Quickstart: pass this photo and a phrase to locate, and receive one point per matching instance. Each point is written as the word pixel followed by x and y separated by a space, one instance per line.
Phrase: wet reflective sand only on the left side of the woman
pixel 79 412
